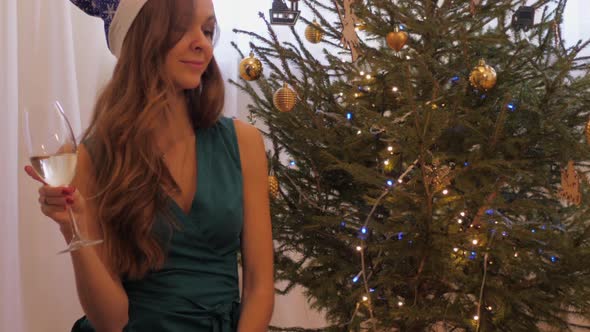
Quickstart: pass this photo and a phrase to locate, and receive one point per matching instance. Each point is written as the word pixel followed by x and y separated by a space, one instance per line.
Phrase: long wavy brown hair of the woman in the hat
pixel 130 174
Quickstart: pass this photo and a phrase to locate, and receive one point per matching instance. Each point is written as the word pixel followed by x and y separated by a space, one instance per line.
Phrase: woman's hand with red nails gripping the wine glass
pixel 54 202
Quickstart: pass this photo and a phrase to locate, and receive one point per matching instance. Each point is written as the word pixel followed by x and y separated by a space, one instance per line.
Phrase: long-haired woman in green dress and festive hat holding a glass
pixel 174 188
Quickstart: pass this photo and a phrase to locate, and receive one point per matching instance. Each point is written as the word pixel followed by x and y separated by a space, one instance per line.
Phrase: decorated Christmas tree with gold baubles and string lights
pixel 428 170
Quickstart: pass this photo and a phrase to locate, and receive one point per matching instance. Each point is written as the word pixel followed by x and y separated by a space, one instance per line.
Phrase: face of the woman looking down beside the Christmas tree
pixel 188 59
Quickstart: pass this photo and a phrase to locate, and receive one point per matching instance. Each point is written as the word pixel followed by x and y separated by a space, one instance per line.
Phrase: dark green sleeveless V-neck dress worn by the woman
pixel 197 289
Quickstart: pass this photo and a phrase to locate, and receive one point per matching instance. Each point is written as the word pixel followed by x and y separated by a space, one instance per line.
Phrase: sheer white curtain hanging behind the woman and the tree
pixel 51 49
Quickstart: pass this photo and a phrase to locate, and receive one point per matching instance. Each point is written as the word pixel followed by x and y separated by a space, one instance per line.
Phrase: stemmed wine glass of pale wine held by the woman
pixel 53 153
